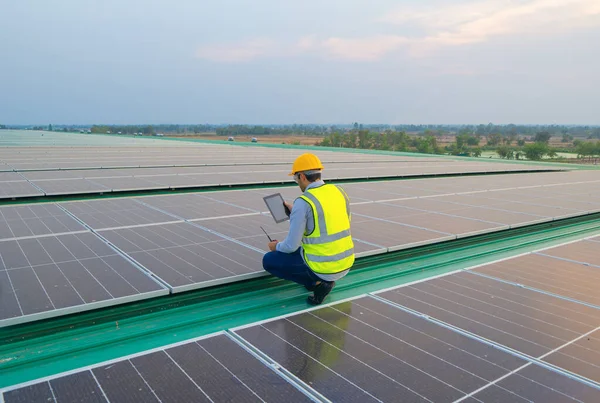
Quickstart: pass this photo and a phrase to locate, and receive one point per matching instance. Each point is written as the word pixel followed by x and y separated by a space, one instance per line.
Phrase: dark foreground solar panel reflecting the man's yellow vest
pixel 367 350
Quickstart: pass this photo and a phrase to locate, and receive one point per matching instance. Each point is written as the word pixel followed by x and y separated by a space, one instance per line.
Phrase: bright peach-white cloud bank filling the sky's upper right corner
pixel 468 23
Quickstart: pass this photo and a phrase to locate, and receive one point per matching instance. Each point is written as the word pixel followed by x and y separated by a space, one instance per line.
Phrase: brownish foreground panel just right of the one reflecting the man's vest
pixel 497 314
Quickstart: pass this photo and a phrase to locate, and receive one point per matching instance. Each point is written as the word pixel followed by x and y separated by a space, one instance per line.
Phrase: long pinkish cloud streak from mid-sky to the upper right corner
pixel 450 25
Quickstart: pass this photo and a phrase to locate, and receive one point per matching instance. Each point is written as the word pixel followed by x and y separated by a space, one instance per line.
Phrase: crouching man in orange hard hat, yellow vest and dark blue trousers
pixel 318 249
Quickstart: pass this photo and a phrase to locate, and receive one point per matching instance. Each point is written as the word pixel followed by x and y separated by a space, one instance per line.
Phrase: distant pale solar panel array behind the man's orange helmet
pixel 151 164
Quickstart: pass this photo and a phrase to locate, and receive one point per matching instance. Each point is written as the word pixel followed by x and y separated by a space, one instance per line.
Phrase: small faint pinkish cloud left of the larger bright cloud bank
pixel 240 52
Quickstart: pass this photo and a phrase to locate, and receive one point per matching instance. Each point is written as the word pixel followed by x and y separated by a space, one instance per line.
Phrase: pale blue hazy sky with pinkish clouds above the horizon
pixel 309 61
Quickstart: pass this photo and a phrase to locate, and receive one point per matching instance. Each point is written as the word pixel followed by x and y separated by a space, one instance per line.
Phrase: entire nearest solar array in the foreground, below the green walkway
pixel 466 336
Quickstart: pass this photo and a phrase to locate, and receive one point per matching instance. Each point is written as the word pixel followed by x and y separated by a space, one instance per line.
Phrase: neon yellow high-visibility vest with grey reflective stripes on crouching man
pixel 329 248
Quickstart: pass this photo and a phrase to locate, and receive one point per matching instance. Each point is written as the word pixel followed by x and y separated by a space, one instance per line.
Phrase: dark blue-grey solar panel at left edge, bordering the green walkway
pixel 55 275
